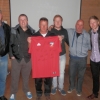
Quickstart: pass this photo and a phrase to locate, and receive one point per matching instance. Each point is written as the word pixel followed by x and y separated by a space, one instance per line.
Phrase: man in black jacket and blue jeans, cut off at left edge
pixel 4 48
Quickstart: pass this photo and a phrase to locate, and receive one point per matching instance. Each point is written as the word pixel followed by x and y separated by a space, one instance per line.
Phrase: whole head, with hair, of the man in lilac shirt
pixel 94 22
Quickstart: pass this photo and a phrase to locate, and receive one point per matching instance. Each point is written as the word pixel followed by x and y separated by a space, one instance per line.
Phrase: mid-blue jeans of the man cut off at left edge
pixel 3 73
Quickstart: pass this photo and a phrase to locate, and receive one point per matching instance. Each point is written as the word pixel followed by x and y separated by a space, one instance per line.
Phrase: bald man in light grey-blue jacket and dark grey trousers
pixel 79 44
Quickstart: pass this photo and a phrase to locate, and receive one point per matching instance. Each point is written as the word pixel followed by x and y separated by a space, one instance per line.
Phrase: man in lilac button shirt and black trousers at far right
pixel 95 55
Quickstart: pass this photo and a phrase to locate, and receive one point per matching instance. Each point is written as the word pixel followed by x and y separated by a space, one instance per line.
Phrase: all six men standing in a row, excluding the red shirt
pixel 78 40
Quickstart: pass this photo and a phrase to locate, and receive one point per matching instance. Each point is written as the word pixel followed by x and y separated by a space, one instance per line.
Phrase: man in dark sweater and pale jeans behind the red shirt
pixel 59 30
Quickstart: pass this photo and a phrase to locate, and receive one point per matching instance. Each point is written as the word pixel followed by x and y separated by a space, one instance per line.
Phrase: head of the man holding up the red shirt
pixel 43 25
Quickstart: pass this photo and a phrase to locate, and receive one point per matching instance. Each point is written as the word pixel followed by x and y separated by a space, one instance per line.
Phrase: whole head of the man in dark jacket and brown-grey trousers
pixel 23 21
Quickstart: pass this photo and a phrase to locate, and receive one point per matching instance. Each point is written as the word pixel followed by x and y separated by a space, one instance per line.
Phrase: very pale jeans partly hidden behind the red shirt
pixel 62 62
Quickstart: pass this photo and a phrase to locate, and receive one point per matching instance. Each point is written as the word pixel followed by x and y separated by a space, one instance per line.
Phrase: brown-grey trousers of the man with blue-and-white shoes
pixel 22 68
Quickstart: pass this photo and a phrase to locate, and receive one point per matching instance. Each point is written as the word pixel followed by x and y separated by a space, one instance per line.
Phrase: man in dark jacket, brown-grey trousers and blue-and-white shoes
pixel 20 56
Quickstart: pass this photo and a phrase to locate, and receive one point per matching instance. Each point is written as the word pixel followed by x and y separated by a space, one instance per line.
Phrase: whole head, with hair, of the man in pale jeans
pixel 57 21
